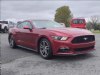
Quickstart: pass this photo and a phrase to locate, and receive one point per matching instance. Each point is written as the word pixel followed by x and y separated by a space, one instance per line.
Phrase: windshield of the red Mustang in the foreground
pixel 46 24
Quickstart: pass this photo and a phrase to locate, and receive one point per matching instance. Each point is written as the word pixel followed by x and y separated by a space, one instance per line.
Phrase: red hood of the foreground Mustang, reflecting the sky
pixel 70 31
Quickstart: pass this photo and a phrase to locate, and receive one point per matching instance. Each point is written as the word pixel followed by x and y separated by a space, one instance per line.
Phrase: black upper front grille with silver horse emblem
pixel 84 39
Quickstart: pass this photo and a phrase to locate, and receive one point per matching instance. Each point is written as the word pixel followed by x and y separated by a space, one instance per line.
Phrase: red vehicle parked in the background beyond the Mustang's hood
pixel 78 23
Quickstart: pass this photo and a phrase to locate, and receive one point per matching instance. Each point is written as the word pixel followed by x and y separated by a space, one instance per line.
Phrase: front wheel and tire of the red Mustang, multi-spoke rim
pixel 45 49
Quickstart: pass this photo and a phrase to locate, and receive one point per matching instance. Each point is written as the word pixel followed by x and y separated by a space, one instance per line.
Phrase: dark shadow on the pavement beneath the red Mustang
pixel 61 58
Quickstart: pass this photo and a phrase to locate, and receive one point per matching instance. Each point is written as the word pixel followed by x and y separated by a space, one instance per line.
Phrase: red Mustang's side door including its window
pixel 28 35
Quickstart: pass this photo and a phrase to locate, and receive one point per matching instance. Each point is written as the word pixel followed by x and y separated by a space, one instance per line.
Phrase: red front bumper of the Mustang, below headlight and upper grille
pixel 74 49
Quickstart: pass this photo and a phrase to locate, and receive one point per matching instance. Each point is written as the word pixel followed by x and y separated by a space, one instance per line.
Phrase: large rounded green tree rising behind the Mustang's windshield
pixel 63 15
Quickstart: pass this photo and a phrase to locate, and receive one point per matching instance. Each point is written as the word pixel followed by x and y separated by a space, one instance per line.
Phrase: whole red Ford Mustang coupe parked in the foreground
pixel 50 38
